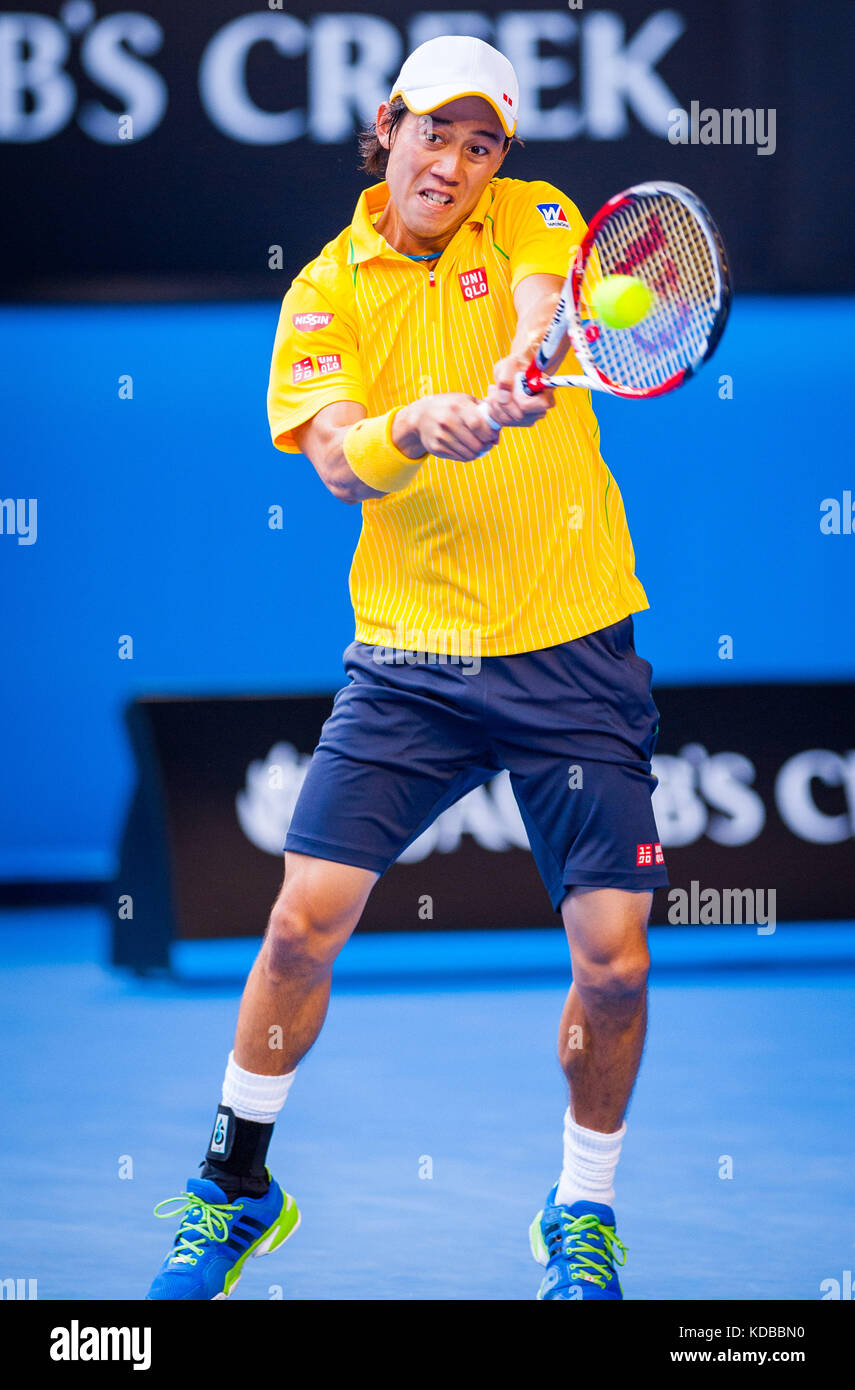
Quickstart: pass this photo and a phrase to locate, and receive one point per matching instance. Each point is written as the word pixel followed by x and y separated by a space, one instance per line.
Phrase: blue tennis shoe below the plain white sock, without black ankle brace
pixel 580 1249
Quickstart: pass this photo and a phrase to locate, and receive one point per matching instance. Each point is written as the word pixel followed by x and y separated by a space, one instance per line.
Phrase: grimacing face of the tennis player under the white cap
pixel 439 167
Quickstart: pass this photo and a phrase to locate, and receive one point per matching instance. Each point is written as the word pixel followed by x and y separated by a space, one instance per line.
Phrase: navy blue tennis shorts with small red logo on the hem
pixel 575 726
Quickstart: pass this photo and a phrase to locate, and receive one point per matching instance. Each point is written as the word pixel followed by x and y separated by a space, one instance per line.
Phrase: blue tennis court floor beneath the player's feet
pixel 437 1057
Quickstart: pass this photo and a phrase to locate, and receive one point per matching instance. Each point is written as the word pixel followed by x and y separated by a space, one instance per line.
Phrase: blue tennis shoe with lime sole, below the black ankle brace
pixel 216 1238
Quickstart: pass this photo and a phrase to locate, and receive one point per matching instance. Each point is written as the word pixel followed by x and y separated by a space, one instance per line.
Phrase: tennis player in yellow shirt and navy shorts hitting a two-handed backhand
pixel 511 546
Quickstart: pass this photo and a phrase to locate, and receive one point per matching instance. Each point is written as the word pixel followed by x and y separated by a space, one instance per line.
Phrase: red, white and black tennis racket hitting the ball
pixel 662 236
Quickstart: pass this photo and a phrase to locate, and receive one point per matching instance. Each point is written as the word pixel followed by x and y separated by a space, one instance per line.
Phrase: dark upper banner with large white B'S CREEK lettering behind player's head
pixel 211 149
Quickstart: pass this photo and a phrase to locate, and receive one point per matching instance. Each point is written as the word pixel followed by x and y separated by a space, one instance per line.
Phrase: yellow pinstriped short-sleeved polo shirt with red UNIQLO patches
pixel 518 551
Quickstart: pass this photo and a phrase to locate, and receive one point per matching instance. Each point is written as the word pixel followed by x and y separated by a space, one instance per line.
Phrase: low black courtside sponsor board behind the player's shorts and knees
pixel 756 810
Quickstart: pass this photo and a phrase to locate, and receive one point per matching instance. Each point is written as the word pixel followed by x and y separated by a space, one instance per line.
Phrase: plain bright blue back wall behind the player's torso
pixel 154 523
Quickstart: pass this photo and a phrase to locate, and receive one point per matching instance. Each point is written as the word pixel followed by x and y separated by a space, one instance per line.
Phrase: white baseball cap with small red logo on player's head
pixel 455 66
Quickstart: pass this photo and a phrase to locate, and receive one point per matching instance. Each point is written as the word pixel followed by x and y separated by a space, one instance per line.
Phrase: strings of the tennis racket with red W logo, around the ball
pixel 660 241
